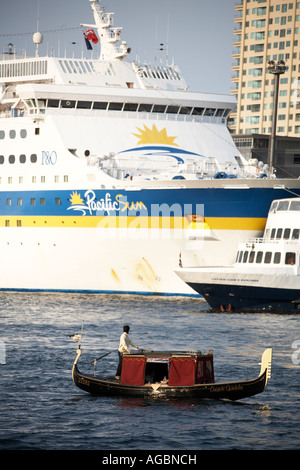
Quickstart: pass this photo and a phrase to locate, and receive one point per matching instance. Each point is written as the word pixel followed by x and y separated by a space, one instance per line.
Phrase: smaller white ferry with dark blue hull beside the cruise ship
pixel 266 273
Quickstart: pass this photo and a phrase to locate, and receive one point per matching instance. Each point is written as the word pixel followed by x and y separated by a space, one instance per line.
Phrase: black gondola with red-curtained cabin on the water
pixel 171 375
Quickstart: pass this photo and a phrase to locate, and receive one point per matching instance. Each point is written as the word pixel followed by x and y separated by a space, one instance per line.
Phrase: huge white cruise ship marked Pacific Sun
pixel 112 173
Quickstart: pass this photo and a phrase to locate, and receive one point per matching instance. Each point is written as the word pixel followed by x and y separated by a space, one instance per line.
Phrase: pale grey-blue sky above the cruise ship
pixel 198 34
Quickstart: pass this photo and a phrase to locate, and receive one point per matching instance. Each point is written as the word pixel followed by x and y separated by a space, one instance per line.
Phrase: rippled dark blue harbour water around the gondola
pixel 41 409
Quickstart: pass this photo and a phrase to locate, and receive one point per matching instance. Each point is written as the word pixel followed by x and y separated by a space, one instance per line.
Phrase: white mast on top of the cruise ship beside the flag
pixel 107 34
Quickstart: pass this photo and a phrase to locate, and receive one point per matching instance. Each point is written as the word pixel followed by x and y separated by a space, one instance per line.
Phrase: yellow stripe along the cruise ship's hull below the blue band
pixel 211 223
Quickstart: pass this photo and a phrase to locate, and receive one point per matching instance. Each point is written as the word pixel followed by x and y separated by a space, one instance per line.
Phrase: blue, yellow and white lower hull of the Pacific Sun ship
pixel 138 252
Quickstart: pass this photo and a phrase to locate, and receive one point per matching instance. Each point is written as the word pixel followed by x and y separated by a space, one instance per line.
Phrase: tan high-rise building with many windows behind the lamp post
pixel 266 30
